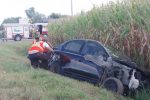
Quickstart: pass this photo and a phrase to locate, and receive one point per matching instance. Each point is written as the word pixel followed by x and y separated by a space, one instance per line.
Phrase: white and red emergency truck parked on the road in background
pixel 18 31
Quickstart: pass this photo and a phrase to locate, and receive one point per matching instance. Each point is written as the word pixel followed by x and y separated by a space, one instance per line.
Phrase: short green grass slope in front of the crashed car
pixel 18 81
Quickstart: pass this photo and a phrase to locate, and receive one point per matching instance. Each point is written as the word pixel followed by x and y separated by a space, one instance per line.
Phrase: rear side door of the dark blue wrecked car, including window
pixel 72 50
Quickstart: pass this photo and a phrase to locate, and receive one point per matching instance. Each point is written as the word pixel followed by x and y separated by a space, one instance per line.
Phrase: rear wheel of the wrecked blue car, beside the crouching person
pixel 55 67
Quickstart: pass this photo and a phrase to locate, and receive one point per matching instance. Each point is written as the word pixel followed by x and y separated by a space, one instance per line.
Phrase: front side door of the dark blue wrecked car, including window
pixel 93 49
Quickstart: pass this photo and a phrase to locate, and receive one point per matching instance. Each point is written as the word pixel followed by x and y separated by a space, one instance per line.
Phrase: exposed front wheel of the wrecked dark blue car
pixel 113 84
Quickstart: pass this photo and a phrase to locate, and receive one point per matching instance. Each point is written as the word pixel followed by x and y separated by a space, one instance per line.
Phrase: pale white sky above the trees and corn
pixel 16 8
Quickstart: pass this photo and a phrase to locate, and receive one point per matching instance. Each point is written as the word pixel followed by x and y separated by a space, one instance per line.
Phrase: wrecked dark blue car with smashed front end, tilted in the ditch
pixel 88 60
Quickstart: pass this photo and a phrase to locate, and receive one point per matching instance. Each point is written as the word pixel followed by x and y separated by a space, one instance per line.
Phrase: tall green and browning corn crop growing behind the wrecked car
pixel 123 25
